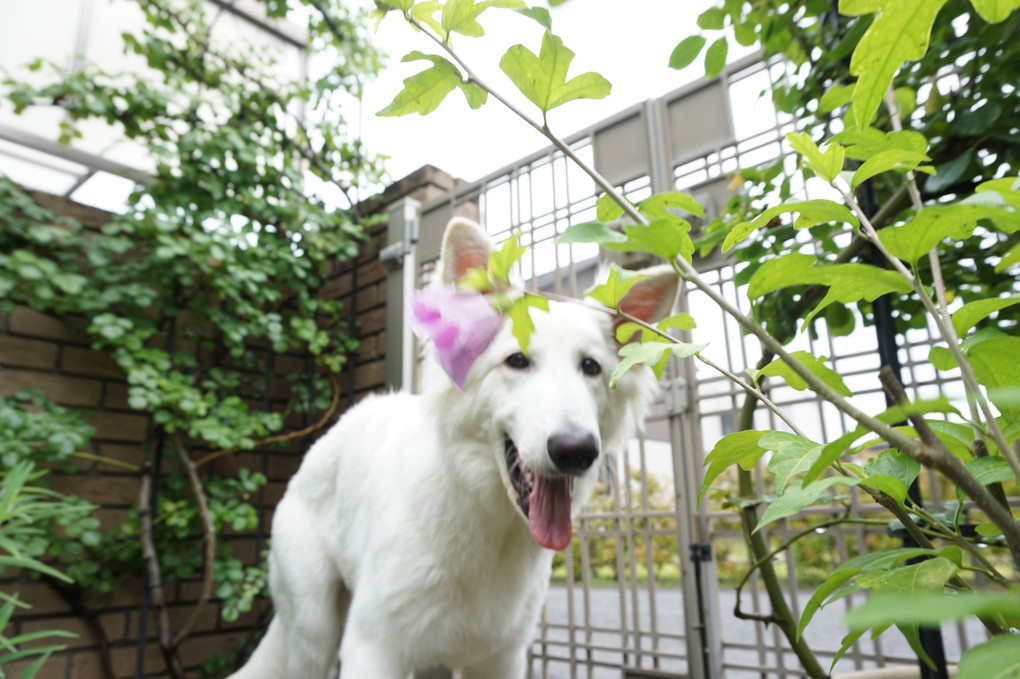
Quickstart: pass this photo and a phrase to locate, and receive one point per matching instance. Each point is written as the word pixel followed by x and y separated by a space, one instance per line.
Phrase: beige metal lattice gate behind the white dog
pixel 640 593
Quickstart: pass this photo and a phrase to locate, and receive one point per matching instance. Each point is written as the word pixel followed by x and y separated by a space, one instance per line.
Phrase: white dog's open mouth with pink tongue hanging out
pixel 544 500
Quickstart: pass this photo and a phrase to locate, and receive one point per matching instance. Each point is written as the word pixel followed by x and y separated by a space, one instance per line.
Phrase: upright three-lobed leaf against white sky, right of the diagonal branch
pixel 543 79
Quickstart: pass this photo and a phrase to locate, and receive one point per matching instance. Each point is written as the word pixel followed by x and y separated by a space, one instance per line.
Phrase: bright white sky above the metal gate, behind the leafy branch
pixel 629 43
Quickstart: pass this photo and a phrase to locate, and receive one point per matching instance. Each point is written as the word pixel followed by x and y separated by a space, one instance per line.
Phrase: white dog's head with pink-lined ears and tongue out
pixel 550 416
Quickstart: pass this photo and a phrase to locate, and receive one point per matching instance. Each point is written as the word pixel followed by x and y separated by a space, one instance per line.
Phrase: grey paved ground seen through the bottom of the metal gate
pixel 825 634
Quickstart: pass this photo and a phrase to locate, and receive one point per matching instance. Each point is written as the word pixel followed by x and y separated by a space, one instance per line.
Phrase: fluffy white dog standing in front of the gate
pixel 413 536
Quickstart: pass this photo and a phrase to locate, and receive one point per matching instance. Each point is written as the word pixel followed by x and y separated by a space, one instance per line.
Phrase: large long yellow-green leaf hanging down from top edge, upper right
pixel 899 33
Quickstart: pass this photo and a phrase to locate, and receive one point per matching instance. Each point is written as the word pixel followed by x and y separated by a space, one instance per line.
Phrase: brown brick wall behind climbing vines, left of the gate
pixel 54 355
